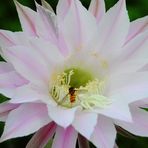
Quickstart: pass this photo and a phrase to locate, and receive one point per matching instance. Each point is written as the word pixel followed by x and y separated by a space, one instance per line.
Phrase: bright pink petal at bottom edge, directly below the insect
pixel 65 138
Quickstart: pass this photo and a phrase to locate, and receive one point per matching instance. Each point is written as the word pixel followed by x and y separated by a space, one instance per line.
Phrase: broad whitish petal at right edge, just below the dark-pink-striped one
pixel 134 55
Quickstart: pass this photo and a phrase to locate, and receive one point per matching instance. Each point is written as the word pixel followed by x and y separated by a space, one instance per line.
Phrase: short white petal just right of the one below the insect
pixel 85 123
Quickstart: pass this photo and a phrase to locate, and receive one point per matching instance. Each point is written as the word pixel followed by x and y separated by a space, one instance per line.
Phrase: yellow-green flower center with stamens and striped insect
pixel 77 87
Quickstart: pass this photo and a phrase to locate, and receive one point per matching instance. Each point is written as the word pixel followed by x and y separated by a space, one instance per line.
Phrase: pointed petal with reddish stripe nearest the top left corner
pixel 27 18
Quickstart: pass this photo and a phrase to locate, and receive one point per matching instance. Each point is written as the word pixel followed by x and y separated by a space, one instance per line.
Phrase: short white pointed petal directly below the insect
pixel 62 116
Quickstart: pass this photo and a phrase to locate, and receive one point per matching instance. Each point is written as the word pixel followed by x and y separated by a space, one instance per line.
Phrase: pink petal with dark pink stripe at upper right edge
pixel 136 27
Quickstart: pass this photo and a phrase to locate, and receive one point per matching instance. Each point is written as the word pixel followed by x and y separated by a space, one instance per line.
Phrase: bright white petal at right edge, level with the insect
pixel 133 90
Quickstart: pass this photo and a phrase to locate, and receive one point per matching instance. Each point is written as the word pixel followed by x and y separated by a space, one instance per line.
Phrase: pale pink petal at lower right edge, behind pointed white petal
pixel 139 125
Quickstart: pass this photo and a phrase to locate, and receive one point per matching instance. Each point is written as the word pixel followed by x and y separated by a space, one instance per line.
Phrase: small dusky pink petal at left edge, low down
pixel 5 108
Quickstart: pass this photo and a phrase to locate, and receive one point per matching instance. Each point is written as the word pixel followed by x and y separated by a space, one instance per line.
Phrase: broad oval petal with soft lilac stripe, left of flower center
pixel 29 63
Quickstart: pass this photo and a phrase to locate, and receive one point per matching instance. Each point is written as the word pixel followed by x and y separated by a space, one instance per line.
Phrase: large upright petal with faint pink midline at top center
pixel 75 27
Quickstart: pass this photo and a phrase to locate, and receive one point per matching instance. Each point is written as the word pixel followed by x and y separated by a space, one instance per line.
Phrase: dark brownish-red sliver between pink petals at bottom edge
pixel 83 142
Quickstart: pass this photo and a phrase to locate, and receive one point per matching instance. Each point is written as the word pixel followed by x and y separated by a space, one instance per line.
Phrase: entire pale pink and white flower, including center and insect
pixel 85 74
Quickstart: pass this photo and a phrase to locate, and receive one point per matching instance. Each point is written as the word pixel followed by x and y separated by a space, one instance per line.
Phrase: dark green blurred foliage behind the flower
pixel 9 21
